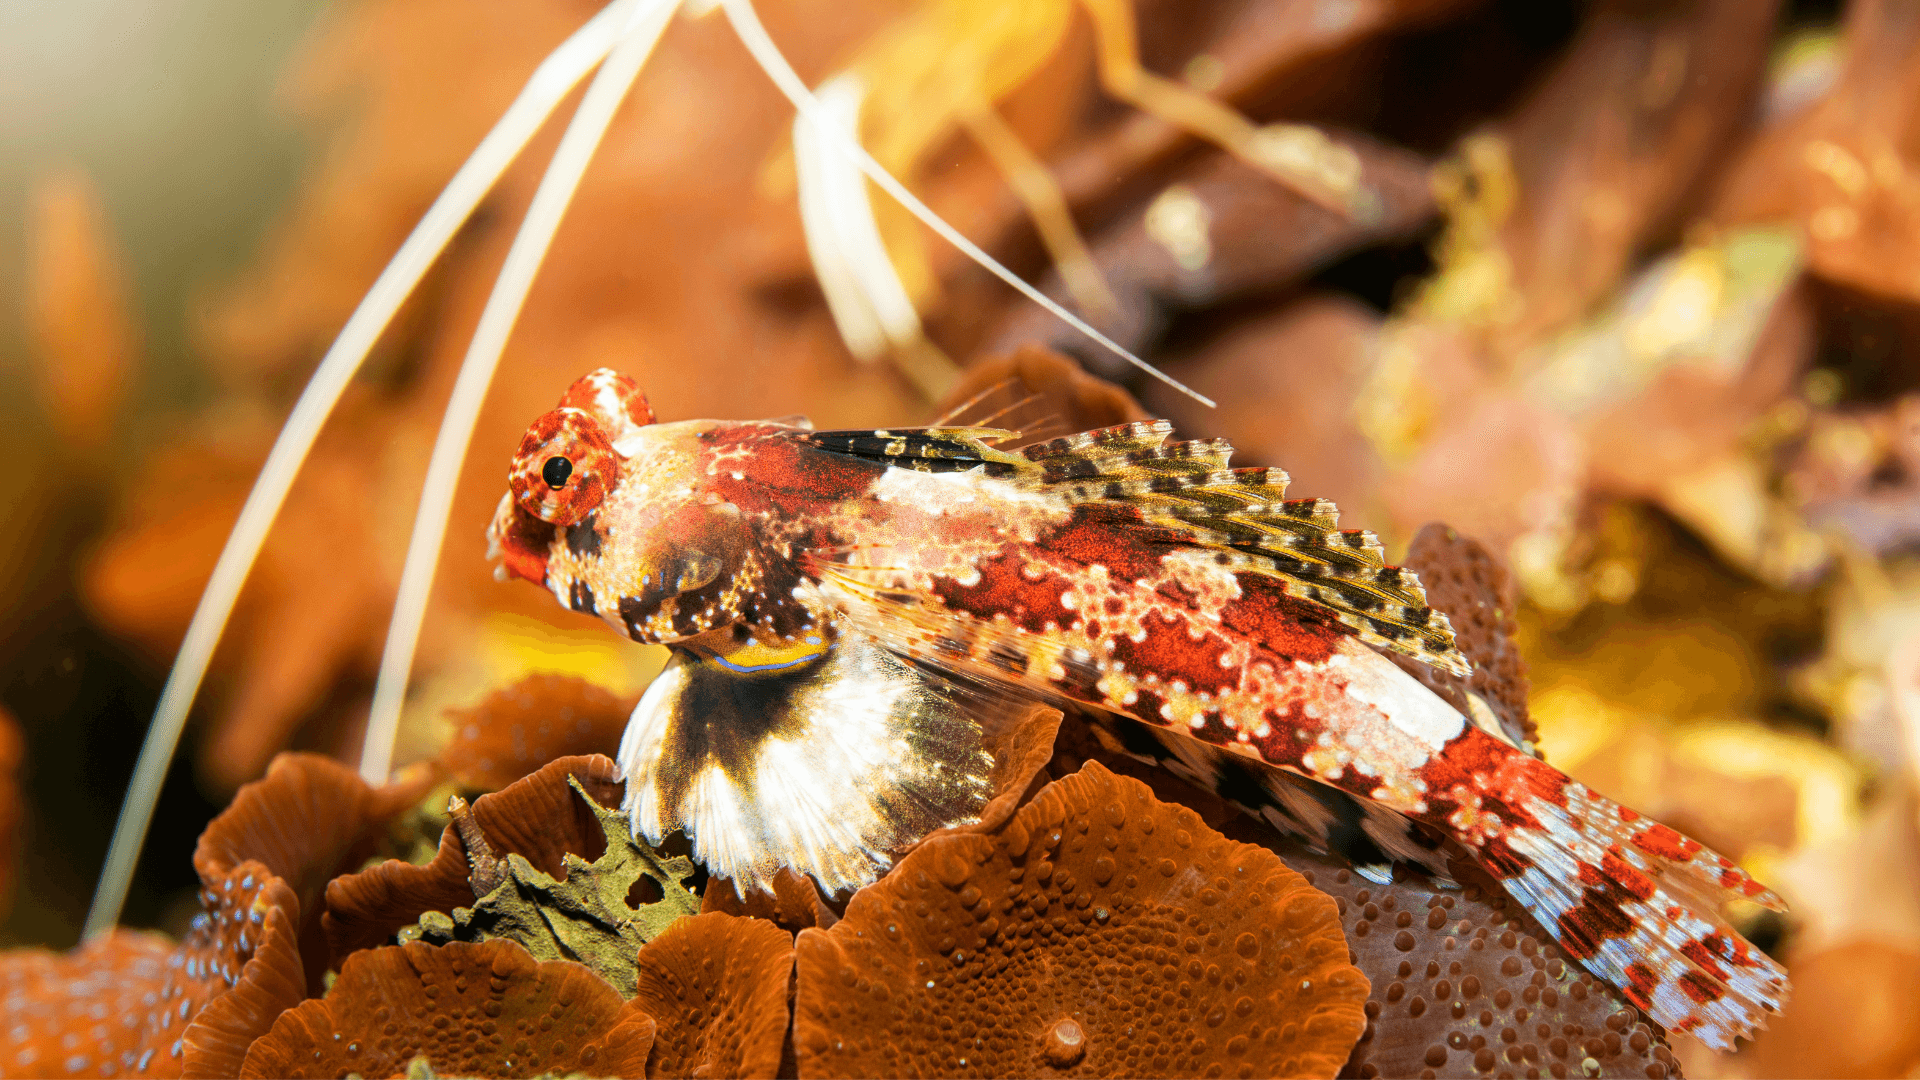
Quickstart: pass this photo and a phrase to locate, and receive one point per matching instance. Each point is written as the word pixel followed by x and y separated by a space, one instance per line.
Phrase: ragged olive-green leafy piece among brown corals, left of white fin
pixel 583 918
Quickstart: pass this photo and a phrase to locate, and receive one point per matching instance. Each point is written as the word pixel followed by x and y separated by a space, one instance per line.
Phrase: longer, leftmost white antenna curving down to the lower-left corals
pixel 552 82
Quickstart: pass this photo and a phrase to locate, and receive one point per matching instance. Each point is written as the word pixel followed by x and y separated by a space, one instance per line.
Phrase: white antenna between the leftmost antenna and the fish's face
pixel 642 24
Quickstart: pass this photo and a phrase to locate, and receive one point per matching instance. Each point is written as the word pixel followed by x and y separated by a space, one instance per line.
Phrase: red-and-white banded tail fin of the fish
pixel 1639 906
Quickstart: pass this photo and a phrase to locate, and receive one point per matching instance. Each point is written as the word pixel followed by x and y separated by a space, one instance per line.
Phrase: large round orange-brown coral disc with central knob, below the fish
pixel 1099 933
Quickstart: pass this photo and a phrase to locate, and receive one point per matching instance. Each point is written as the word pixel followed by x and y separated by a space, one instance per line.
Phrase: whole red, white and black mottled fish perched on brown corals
pixel 846 606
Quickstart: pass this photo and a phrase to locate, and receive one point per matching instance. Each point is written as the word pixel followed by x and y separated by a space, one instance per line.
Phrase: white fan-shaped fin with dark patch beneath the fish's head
pixel 823 764
